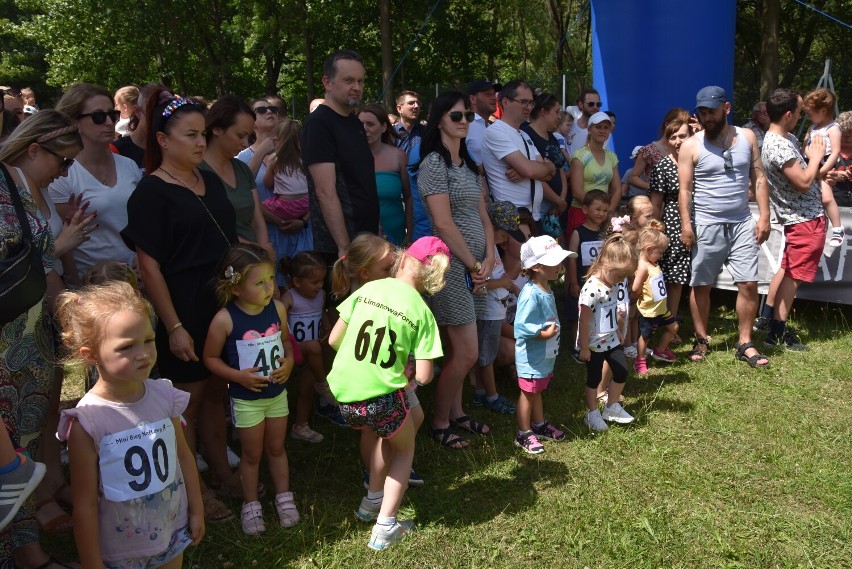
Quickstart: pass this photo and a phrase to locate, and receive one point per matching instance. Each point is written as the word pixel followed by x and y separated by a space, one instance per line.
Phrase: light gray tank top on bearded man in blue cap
pixel 721 196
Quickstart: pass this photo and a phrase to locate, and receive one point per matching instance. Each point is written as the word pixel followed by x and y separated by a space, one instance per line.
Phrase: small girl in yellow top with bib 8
pixel 649 285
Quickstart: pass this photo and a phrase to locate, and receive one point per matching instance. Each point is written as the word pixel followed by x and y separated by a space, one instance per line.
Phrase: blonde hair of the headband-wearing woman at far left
pixel 39 129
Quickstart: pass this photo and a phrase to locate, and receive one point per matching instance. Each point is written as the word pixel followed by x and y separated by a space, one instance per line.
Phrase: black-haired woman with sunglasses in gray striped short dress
pixel 449 184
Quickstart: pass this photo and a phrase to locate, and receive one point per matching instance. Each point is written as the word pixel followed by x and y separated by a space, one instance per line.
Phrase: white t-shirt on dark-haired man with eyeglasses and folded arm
pixel 500 141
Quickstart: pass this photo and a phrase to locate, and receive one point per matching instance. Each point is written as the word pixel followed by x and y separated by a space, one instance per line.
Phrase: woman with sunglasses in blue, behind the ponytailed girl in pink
pixel 287 236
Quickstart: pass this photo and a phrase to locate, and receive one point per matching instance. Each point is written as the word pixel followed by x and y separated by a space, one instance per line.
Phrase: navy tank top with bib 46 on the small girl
pixel 254 341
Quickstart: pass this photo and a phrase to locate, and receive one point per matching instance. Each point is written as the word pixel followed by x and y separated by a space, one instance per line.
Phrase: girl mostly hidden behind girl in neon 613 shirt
pixel 370 258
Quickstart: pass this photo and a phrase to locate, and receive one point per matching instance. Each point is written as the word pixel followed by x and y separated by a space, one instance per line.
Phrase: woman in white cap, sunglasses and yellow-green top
pixel 593 167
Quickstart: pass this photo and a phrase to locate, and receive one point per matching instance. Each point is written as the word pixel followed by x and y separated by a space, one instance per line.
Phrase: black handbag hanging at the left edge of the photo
pixel 22 280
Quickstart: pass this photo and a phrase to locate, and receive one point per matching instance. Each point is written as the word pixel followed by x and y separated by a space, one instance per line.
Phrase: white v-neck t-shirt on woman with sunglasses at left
pixel 110 202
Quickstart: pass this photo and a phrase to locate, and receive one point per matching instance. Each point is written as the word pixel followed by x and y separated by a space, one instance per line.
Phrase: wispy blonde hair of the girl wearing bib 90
pixel 82 315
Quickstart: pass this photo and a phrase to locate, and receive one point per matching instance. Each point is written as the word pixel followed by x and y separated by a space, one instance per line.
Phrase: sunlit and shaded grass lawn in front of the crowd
pixel 725 466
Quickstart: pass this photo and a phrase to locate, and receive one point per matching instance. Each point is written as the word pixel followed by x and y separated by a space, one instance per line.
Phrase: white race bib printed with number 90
pixel 138 462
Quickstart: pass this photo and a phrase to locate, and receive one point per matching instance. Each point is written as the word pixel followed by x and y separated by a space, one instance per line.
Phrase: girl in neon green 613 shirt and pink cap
pixel 379 326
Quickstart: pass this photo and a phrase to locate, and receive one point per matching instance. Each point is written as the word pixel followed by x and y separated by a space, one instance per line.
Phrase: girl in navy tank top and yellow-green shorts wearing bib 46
pixel 250 333
